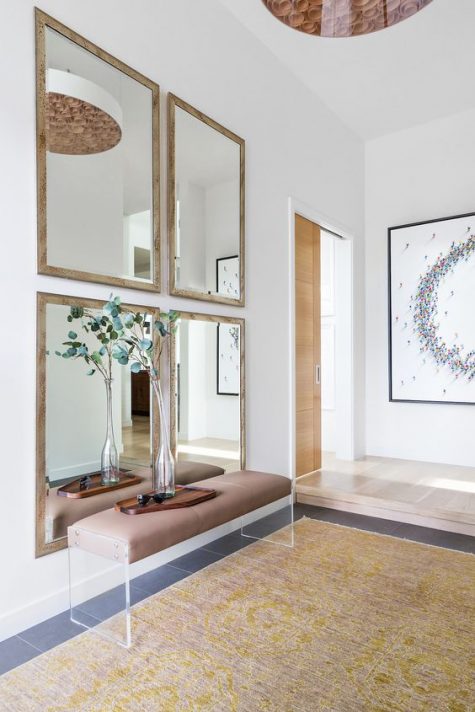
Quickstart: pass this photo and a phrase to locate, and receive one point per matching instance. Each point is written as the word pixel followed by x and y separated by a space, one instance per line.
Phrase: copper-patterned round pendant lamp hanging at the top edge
pixel 343 18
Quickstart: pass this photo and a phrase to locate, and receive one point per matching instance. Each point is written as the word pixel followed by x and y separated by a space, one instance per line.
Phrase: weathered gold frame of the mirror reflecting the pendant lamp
pixel 42 21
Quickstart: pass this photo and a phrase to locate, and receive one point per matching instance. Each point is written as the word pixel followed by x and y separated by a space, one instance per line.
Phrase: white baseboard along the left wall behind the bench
pixel 40 610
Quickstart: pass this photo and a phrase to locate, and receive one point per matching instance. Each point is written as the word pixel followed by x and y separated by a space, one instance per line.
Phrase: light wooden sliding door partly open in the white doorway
pixel 307 346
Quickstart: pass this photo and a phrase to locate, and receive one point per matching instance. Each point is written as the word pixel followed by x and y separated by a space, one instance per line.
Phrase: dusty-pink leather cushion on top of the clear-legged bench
pixel 146 534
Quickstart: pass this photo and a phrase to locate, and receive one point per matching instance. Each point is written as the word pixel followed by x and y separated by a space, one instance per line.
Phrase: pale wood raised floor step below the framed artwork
pixel 440 496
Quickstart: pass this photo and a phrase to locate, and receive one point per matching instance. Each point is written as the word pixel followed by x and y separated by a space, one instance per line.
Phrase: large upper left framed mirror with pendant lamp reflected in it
pixel 97 163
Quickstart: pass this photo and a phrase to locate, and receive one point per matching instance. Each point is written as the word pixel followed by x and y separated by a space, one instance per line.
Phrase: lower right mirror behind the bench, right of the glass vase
pixel 207 392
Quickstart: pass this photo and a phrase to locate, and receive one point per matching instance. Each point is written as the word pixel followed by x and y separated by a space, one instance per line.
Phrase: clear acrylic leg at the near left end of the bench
pixel 107 614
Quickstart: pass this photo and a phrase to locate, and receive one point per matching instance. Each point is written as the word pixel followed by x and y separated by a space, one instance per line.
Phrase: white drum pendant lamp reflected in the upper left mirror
pixel 81 117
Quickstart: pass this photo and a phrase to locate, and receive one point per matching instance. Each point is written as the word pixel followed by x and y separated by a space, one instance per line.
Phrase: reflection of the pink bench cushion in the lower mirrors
pixel 64 511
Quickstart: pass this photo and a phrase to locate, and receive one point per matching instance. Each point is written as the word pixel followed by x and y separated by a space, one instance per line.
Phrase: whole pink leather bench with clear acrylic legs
pixel 126 539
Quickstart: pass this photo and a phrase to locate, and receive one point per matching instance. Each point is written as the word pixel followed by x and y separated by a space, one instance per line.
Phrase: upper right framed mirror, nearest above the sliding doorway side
pixel 206 207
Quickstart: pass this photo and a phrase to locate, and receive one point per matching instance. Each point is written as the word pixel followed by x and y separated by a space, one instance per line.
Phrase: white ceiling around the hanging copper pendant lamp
pixel 409 74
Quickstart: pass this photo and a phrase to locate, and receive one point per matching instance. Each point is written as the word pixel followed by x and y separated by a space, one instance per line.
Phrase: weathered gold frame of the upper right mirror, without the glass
pixel 173 102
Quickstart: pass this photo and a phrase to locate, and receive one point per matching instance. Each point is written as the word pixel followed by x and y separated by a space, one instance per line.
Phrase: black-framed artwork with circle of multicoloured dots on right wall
pixel 431 323
